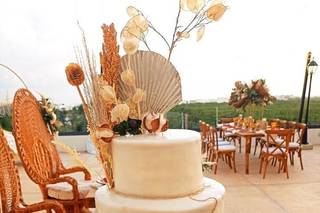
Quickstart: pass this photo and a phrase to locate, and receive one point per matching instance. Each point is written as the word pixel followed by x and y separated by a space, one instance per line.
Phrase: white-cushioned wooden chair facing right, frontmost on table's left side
pixel 215 151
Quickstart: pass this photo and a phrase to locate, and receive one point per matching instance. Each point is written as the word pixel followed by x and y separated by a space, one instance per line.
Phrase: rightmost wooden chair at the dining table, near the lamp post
pixel 295 144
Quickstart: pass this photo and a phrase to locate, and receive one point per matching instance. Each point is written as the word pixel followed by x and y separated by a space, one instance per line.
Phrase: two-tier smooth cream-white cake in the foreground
pixel 159 173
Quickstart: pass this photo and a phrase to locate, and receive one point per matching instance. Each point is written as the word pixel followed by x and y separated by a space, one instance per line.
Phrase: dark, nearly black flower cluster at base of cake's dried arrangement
pixel 130 126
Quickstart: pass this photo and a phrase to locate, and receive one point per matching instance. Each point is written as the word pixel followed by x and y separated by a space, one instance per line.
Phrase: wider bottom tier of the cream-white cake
pixel 208 200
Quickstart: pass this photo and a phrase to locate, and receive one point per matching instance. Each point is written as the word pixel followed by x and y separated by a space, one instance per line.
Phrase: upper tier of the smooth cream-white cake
pixel 164 165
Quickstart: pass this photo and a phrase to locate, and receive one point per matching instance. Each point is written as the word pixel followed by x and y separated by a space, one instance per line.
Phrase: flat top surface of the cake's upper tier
pixel 171 135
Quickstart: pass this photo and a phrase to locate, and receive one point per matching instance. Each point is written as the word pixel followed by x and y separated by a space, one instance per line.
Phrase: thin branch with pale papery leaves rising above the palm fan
pixel 138 24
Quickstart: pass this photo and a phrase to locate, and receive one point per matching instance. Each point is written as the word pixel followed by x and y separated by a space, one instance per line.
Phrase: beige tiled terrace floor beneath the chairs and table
pixel 244 193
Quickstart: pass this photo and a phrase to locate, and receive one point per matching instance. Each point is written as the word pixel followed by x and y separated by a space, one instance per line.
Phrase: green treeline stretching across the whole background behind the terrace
pixel 74 121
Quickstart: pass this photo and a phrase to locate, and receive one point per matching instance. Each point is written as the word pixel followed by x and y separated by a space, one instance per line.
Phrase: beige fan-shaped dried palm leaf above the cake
pixel 157 77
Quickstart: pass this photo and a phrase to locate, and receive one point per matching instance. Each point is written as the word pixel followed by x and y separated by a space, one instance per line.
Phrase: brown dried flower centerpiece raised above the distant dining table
pixel 255 94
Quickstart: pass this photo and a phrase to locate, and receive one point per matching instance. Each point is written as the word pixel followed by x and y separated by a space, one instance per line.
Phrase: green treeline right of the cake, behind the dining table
pixel 286 107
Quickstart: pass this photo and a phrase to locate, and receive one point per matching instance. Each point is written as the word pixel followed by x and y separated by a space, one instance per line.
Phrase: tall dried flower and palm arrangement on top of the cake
pixel 130 94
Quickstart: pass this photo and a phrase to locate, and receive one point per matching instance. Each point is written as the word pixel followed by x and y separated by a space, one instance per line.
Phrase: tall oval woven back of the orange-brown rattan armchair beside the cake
pixel 37 153
